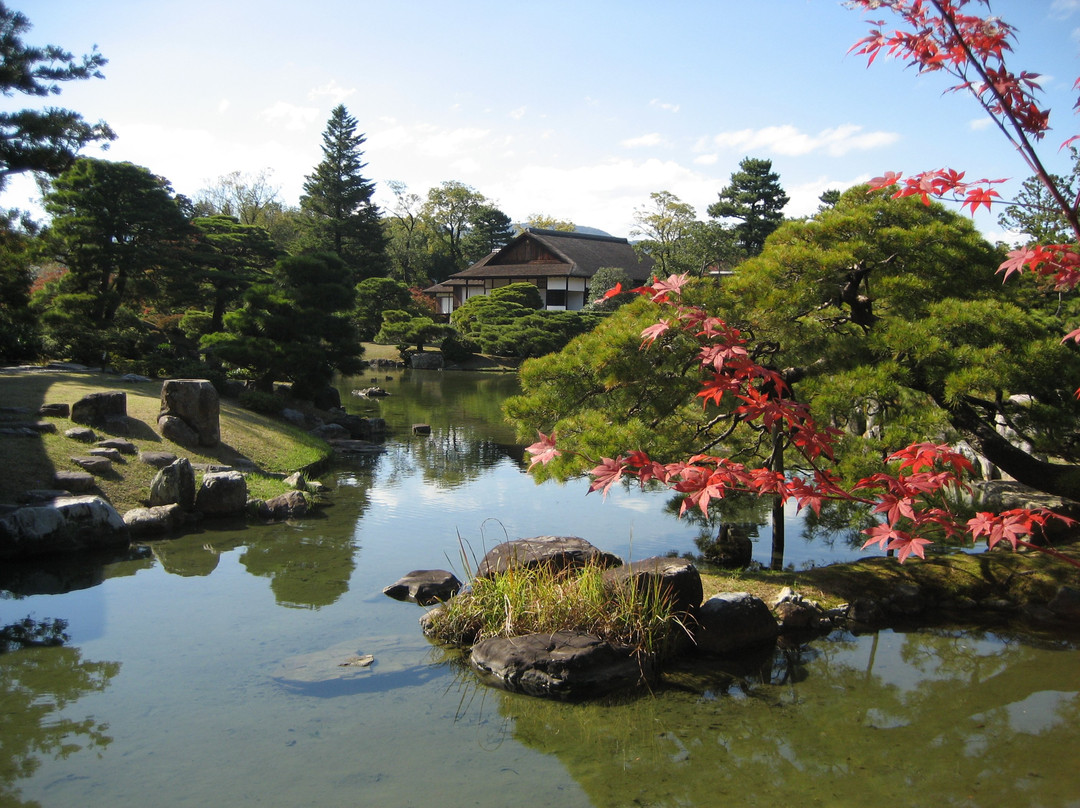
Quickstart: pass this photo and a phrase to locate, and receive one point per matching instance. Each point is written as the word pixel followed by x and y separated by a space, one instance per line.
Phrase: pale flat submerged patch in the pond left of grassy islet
pixel 344 669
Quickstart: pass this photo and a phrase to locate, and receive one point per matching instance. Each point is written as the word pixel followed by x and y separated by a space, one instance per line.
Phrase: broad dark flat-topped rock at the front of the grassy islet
pixel 565 666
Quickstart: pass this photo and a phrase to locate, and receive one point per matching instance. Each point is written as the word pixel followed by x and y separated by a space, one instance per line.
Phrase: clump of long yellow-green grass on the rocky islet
pixel 545 600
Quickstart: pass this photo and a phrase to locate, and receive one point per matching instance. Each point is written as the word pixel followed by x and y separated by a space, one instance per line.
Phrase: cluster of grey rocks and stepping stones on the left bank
pixel 72 517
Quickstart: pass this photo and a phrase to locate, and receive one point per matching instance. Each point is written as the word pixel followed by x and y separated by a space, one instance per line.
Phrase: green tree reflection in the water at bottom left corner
pixel 37 684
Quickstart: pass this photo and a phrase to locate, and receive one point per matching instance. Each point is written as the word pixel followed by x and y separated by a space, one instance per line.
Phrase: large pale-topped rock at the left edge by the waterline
pixel 64 526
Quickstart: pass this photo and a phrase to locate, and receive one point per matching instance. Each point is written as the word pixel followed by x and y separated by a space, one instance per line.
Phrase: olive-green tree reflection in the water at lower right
pixel 844 722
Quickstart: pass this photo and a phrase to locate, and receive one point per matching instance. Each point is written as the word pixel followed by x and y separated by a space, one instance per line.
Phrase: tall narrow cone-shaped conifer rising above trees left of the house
pixel 337 201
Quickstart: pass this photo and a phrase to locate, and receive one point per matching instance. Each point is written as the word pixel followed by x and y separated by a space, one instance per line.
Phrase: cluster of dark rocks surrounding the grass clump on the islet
pixel 575 665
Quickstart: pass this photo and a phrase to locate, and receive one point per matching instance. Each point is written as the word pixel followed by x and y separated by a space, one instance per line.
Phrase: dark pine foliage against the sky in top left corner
pixel 46 140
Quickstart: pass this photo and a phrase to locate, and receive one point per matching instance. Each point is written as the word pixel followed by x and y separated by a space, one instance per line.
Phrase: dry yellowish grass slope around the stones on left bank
pixel 248 439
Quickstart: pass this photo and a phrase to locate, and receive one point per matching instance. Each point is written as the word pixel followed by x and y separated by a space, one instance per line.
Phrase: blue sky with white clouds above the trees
pixel 573 110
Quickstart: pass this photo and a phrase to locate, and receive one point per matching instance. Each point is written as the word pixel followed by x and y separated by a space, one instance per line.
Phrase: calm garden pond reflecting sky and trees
pixel 207 670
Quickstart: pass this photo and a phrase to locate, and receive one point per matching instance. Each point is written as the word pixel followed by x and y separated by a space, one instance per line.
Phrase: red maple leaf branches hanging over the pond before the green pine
pixel 913 501
